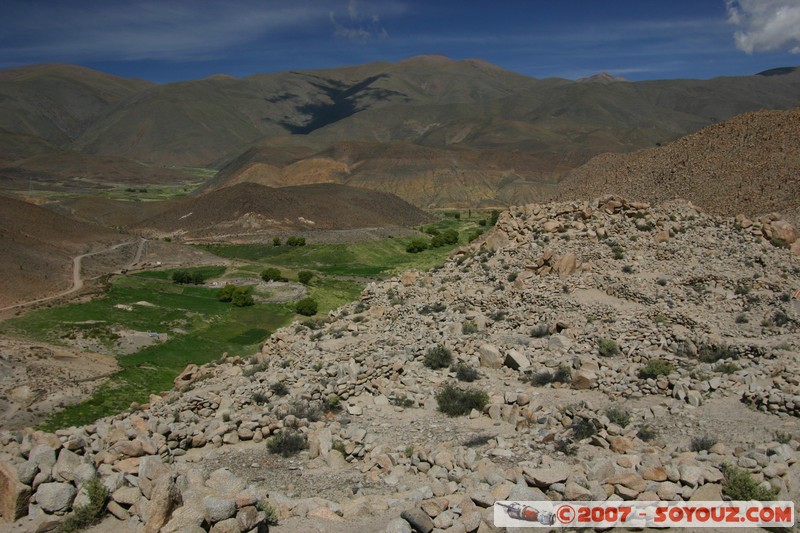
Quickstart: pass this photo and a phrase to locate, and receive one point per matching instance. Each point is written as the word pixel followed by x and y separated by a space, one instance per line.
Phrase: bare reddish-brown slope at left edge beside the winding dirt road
pixel 38 247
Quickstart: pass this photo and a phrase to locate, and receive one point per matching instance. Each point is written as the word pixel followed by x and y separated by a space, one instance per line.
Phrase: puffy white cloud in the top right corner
pixel 766 24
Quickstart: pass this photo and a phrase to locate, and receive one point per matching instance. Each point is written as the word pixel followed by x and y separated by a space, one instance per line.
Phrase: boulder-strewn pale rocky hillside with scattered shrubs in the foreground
pixel 626 351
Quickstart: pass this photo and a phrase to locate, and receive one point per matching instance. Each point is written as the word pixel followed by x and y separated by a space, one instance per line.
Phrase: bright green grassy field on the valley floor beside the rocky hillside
pixel 211 327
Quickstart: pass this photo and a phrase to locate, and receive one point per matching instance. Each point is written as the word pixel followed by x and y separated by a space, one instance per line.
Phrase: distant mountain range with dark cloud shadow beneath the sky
pixel 434 131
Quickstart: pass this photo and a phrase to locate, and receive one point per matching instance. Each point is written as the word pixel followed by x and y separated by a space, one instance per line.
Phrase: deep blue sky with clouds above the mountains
pixel 171 40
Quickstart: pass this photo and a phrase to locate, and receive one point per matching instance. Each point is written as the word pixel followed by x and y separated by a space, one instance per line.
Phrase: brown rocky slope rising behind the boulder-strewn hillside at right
pixel 749 164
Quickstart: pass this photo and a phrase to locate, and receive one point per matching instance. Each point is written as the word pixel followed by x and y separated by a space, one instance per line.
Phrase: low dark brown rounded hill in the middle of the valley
pixel 249 209
